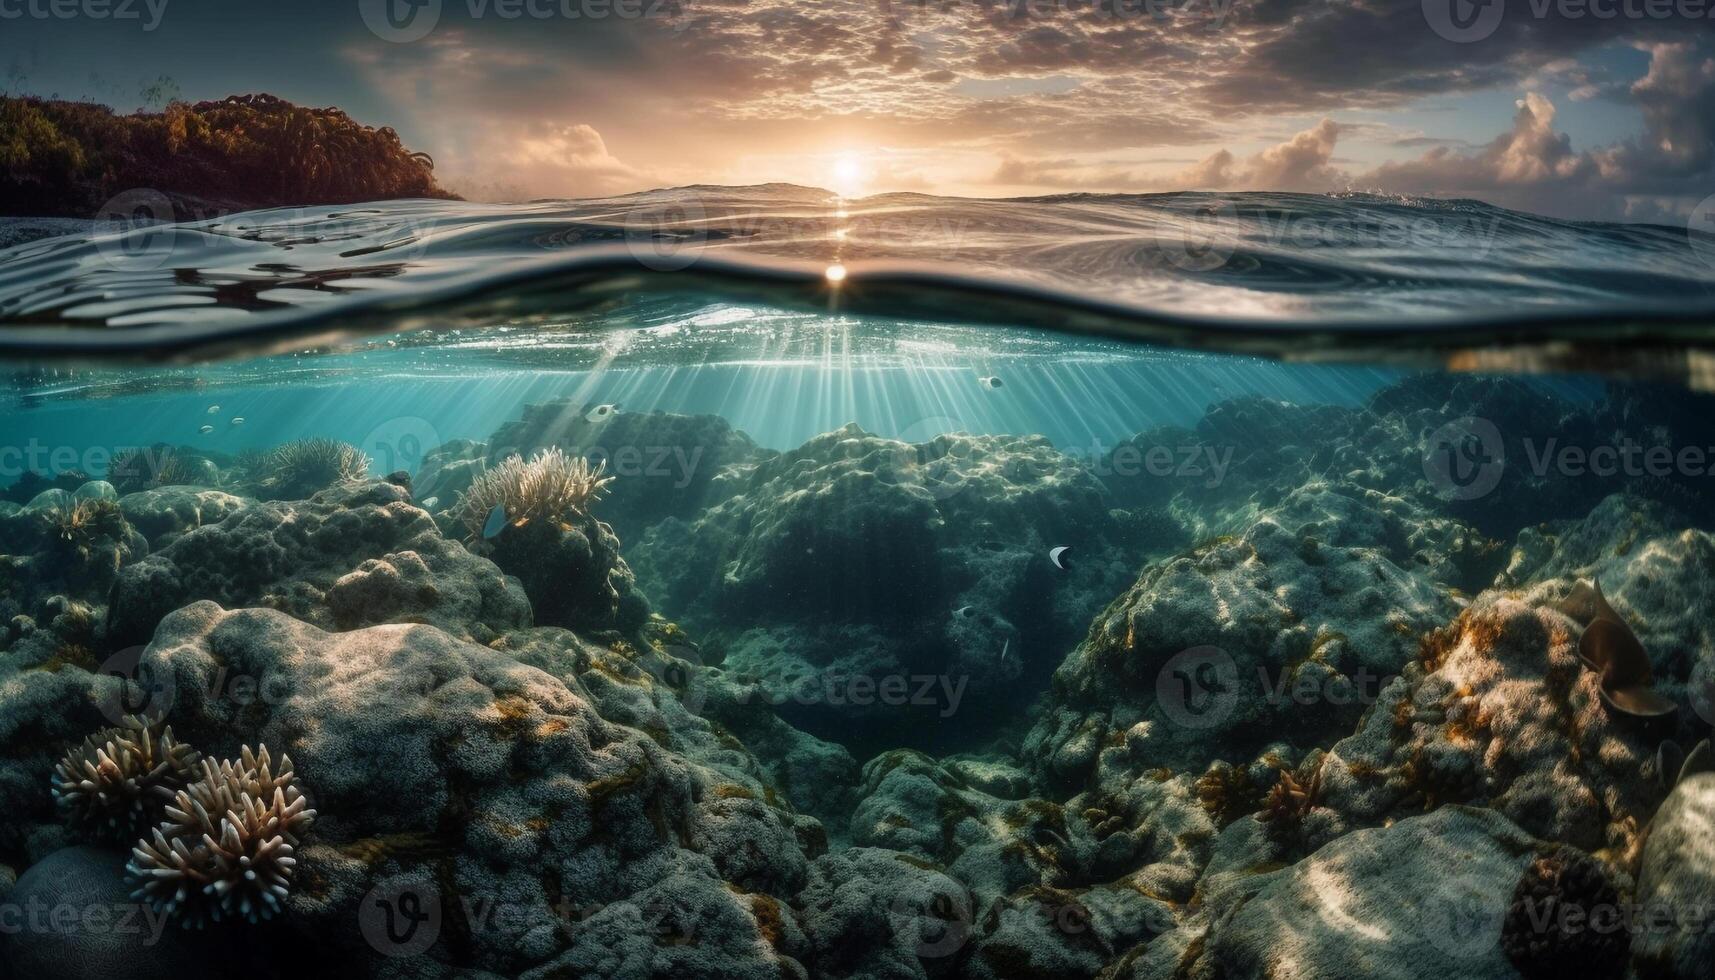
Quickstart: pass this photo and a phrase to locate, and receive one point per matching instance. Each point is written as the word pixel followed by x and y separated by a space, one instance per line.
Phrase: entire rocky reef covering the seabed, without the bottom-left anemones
pixel 601 756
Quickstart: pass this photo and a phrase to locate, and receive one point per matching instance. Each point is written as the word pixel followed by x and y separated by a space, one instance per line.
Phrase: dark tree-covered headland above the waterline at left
pixel 71 159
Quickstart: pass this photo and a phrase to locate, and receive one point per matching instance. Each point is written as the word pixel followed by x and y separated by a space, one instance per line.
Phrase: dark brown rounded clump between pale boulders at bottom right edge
pixel 1567 921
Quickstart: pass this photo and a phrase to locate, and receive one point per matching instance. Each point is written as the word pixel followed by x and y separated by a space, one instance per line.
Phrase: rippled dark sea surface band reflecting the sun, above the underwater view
pixel 1285 275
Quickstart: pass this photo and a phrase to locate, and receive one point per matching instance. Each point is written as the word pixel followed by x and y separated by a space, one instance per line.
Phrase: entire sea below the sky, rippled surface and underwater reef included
pixel 677 586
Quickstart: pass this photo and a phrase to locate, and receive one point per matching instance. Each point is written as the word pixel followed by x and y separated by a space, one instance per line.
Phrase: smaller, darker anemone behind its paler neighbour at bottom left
pixel 116 785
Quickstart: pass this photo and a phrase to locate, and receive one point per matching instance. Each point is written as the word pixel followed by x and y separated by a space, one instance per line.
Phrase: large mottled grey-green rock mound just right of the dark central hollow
pixel 1285 632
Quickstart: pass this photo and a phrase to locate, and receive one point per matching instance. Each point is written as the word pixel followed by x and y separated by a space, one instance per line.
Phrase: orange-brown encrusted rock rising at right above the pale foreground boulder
pixel 1501 711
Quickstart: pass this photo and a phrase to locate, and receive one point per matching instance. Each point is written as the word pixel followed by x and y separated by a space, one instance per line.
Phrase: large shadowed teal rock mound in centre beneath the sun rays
pixel 860 557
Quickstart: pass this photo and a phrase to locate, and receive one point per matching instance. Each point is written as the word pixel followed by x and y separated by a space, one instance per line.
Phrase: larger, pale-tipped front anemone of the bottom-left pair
pixel 226 849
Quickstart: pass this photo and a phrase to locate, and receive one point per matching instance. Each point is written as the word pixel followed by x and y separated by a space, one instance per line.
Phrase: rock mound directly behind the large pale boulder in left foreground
pixel 346 559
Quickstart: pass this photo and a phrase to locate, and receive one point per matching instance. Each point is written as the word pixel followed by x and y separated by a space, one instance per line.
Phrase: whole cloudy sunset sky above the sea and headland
pixel 1580 109
